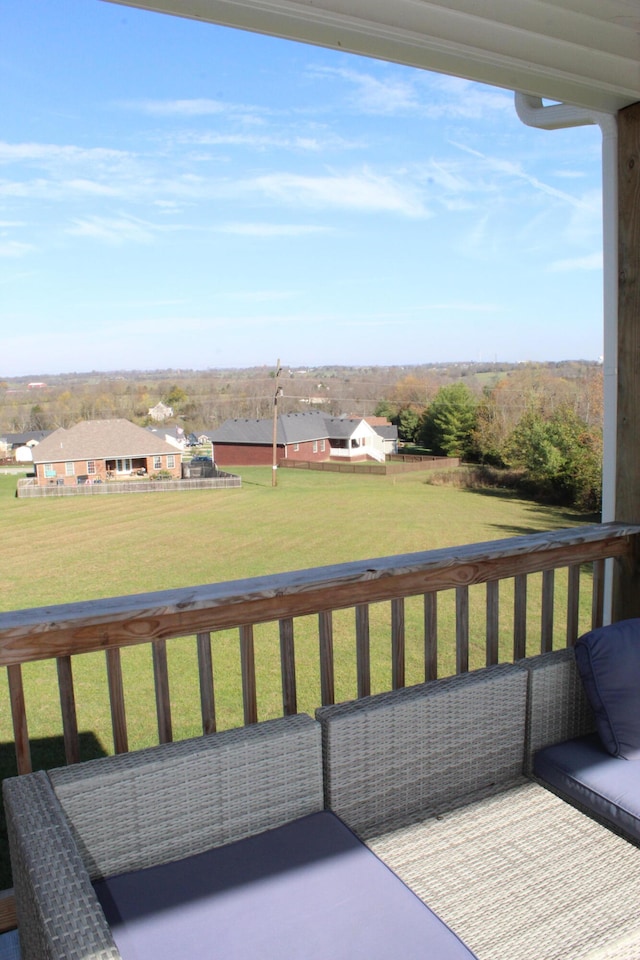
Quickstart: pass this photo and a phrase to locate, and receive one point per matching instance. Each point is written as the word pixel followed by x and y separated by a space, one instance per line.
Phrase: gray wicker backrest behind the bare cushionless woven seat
pixel 393 757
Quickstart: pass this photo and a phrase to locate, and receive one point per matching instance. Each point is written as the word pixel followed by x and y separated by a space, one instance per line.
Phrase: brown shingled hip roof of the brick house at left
pixel 99 439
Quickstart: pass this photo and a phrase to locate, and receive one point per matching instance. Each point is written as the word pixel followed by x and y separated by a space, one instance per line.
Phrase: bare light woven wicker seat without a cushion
pixel 524 876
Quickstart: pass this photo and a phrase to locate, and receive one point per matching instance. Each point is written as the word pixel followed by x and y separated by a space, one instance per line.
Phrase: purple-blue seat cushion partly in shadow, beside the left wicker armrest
pixel 307 889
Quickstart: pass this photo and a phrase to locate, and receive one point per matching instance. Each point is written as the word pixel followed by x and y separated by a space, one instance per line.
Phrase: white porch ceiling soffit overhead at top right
pixel 585 52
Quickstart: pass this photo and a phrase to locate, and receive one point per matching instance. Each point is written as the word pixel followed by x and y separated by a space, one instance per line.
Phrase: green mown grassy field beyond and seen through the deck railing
pixel 67 549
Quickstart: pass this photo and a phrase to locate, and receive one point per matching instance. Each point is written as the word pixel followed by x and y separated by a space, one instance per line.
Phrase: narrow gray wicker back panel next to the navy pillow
pixel 557 704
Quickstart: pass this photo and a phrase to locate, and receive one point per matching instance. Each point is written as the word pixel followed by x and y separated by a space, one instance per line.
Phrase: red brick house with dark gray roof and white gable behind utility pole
pixel 299 436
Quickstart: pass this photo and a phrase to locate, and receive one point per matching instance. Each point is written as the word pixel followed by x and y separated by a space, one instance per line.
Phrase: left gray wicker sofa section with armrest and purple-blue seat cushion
pixel 213 847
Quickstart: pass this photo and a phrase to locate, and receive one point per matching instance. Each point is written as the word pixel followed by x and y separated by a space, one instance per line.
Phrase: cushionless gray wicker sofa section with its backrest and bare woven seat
pixel 436 779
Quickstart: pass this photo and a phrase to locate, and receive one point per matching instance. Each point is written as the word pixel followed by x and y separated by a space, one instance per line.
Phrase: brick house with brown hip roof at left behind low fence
pixel 100 450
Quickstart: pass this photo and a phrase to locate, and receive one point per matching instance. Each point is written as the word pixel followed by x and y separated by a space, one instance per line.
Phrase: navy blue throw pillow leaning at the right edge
pixel 608 660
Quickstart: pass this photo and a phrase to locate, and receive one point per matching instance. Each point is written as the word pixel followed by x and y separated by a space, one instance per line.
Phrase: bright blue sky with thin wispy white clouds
pixel 177 194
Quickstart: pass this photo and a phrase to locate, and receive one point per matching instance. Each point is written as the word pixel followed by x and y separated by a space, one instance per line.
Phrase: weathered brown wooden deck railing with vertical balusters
pixel 60 633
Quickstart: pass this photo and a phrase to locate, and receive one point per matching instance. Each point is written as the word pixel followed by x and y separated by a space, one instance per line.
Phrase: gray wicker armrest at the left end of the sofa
pixel 59 915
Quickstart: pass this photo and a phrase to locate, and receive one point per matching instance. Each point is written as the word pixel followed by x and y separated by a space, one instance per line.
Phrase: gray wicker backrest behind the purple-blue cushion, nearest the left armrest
pixel 141 809
